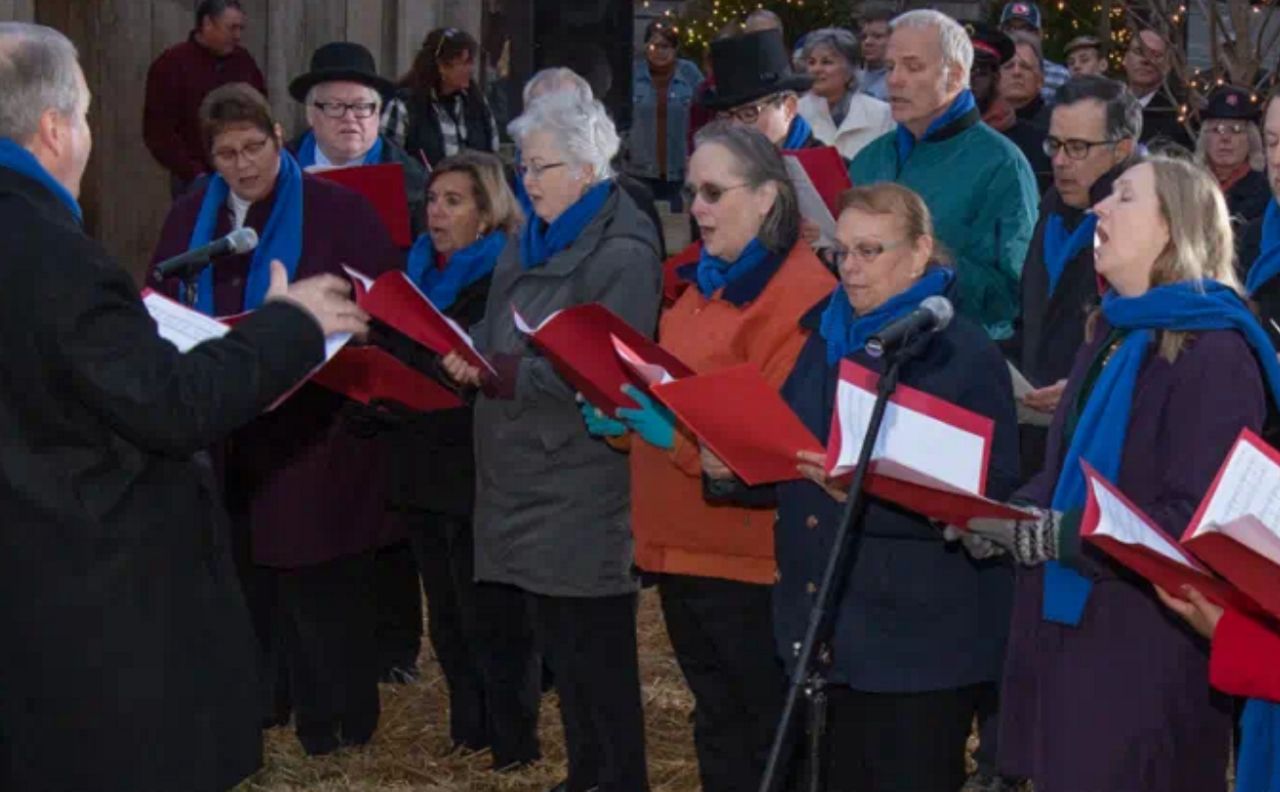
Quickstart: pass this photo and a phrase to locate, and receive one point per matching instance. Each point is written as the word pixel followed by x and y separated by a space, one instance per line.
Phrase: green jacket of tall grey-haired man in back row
pixel 982 196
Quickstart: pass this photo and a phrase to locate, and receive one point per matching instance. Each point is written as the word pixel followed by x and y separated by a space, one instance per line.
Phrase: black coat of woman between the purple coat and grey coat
pixel 433 460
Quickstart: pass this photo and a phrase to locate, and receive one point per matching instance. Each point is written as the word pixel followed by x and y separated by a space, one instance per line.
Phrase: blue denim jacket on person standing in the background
pixel 643 143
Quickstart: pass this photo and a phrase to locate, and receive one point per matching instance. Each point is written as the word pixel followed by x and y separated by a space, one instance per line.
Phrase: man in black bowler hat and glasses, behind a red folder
pixel 344 95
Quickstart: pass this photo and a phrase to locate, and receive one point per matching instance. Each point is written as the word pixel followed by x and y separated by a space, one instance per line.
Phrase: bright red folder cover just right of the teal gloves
pixel 743 420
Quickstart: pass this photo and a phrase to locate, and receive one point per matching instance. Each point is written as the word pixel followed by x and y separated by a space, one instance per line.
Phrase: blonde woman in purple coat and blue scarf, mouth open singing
pixel 1103 689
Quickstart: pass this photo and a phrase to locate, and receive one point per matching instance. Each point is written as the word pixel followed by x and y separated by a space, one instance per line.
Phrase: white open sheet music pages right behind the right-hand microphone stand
pixel 911 438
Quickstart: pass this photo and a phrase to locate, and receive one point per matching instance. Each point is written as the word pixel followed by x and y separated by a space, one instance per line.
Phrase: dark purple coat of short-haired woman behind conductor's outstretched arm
pixel 308 480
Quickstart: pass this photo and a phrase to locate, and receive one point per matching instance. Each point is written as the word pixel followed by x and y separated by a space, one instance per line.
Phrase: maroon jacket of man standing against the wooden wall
pixel 177 83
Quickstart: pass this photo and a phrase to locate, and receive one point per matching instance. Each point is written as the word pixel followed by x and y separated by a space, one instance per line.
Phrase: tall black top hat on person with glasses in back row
pixel 751 67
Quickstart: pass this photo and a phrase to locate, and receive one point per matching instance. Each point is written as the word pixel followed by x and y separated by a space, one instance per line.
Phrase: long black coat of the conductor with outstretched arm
pixel 129 658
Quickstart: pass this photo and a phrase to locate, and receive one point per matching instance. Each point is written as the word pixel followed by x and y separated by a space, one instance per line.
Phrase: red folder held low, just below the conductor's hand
pixel 368 374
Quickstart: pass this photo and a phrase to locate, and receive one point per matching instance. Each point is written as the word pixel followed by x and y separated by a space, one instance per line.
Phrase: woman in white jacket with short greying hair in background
pixel 840 115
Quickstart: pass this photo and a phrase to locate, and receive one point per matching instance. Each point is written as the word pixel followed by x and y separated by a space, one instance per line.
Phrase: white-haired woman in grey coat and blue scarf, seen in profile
pixel 552 503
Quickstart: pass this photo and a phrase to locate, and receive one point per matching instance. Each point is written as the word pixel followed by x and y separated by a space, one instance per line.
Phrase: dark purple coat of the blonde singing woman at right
pixel 1123 703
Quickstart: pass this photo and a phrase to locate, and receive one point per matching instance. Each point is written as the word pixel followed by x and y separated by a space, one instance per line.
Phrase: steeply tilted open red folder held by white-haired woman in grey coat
pixel 395 300
